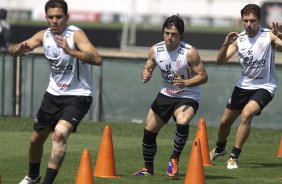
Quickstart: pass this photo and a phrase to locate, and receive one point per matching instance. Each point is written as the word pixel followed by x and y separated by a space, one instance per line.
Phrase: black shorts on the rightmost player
pixel 240 97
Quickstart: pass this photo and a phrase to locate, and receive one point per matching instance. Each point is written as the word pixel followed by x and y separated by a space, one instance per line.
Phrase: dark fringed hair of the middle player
pixel 176 21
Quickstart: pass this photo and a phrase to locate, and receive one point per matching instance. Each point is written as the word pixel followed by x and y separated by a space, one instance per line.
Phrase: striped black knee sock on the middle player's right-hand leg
pixel 180 139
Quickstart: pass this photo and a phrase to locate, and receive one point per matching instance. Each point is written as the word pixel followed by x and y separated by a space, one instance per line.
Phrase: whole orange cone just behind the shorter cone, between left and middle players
pixel 105 163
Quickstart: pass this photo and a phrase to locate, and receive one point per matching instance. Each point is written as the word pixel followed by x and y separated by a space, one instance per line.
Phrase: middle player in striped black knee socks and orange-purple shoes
pixel 182 72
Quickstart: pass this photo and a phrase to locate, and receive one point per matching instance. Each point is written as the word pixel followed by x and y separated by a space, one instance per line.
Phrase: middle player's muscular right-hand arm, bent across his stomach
pixel 198 68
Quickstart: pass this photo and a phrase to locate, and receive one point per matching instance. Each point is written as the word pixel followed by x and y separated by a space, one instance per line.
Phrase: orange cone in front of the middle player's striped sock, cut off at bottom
pixel 195 168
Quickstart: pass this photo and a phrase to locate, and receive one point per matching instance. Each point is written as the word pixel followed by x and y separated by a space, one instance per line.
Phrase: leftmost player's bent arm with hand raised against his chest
pixel 86 51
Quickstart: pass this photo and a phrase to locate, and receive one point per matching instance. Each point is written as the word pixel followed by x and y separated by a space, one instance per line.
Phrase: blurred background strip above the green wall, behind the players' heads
pixel 121 23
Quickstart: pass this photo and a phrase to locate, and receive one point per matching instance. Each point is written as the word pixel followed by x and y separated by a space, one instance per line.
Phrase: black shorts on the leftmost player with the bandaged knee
pixel 55 108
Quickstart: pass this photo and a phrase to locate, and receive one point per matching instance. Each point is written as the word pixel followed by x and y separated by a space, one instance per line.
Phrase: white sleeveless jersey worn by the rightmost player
pixel 257 56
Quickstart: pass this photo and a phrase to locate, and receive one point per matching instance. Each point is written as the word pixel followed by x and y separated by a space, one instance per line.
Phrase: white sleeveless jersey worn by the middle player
pixel 173 63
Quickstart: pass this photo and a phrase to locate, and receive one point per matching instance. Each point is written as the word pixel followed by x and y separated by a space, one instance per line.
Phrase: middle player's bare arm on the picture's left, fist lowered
pixel 150 65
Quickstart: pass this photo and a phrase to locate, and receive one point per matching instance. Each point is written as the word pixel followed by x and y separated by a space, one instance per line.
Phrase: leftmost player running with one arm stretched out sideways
pixel 69 93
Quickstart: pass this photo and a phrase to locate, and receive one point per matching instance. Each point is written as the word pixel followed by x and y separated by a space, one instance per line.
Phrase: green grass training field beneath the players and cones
pixel 258 163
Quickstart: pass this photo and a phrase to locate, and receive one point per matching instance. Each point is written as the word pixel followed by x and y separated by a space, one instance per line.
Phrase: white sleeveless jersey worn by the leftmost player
pixel 68 75
